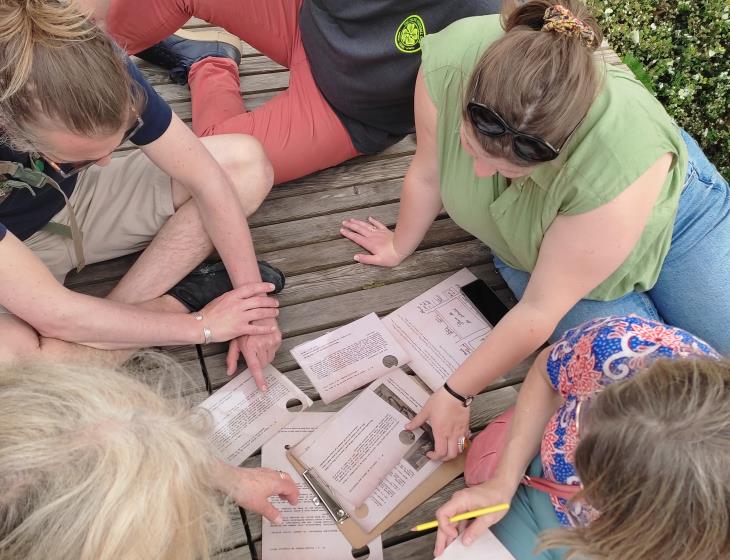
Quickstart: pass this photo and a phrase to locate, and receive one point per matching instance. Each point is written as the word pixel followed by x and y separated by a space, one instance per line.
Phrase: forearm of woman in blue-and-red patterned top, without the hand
pixel 536 403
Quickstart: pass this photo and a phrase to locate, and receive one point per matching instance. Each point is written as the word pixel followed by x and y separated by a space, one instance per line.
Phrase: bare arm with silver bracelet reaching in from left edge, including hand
pixel 29 291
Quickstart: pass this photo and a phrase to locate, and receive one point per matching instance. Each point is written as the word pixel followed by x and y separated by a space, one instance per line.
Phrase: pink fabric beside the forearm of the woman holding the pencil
pixel 485 449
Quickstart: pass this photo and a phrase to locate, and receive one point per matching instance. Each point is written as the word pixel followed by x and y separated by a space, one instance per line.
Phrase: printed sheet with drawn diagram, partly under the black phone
pixel 439 329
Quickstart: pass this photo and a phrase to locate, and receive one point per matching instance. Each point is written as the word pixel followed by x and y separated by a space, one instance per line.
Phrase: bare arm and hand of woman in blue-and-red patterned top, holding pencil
pixel 536 403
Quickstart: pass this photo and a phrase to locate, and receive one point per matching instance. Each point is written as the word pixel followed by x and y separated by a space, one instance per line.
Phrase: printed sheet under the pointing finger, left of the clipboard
pixel 244 417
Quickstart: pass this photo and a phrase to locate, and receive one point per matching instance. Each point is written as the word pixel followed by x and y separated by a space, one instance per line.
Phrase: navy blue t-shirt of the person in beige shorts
pixel 23 214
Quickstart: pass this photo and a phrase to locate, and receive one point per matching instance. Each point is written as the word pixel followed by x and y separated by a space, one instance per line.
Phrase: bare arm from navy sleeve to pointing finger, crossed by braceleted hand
pixel 182 156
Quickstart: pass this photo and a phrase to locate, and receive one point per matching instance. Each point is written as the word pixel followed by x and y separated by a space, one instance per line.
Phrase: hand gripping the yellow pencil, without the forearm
pixel 489 493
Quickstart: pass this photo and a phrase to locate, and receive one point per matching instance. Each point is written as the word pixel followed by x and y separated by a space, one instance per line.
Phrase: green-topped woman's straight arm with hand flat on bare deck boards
pixel 420 200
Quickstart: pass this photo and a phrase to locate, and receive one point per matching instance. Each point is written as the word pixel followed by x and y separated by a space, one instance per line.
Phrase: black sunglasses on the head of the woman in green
pixel 531 148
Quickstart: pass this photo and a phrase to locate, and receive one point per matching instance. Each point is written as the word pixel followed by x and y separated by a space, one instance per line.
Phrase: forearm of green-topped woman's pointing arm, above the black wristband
pixel 520 332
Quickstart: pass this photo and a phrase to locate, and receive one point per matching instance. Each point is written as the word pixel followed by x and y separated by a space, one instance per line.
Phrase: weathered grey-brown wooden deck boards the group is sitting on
pixel 297 229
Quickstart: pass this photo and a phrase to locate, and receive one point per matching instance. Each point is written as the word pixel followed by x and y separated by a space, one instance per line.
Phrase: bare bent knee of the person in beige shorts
pixel 249 169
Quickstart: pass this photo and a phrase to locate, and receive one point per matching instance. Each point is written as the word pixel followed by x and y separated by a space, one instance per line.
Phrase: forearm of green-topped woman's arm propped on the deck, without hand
pixel 419 205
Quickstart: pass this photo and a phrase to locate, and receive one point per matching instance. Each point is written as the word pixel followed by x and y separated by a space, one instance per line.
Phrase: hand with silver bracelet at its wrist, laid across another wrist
pixel 232 314
